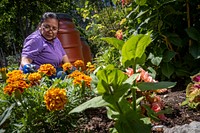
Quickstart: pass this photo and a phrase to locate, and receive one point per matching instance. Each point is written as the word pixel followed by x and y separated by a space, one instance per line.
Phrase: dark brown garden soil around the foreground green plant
pixel 96 120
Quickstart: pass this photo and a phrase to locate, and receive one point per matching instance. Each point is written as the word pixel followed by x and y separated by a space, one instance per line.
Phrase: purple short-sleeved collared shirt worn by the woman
pixel 37 48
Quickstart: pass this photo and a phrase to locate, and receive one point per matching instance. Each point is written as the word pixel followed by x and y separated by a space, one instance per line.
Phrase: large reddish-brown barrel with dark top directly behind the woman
pixel 69 37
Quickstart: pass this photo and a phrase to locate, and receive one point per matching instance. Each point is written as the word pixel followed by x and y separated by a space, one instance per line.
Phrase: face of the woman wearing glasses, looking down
pixel 49 29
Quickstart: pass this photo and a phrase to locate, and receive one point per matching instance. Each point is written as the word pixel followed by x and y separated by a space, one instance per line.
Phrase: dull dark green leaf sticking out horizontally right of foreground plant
pixel 154 86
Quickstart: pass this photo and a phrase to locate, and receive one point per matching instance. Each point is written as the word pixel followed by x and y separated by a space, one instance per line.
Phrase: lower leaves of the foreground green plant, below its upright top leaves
pixel 112 86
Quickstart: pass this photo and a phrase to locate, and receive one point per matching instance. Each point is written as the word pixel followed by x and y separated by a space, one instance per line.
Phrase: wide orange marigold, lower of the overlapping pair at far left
pixel 15 85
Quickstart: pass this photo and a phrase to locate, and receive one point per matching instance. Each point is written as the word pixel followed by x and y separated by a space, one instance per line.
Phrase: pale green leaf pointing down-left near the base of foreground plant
pixel 92 103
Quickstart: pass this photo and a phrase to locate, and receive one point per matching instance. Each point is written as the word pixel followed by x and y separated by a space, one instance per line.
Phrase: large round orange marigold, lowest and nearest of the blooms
pixel 55 99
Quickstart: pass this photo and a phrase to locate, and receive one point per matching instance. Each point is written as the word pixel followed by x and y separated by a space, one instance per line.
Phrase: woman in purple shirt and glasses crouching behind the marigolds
pixel 43 46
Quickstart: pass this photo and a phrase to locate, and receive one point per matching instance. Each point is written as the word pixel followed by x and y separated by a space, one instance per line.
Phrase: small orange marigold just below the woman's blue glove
pixel 34 78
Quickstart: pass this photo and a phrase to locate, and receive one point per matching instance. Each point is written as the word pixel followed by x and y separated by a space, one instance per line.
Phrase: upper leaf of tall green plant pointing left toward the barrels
pixel 114 41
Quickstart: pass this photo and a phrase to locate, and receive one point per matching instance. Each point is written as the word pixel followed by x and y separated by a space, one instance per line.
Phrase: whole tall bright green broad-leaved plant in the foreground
pixel 114 86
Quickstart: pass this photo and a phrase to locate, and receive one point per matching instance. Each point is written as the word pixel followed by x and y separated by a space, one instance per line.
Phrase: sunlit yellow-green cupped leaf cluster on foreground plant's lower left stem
pixel 112 84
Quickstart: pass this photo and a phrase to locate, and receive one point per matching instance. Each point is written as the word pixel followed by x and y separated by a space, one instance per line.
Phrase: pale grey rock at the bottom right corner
pixel 193 127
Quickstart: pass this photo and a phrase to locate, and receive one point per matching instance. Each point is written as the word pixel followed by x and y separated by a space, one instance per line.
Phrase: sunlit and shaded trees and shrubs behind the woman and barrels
pixel 174 53
